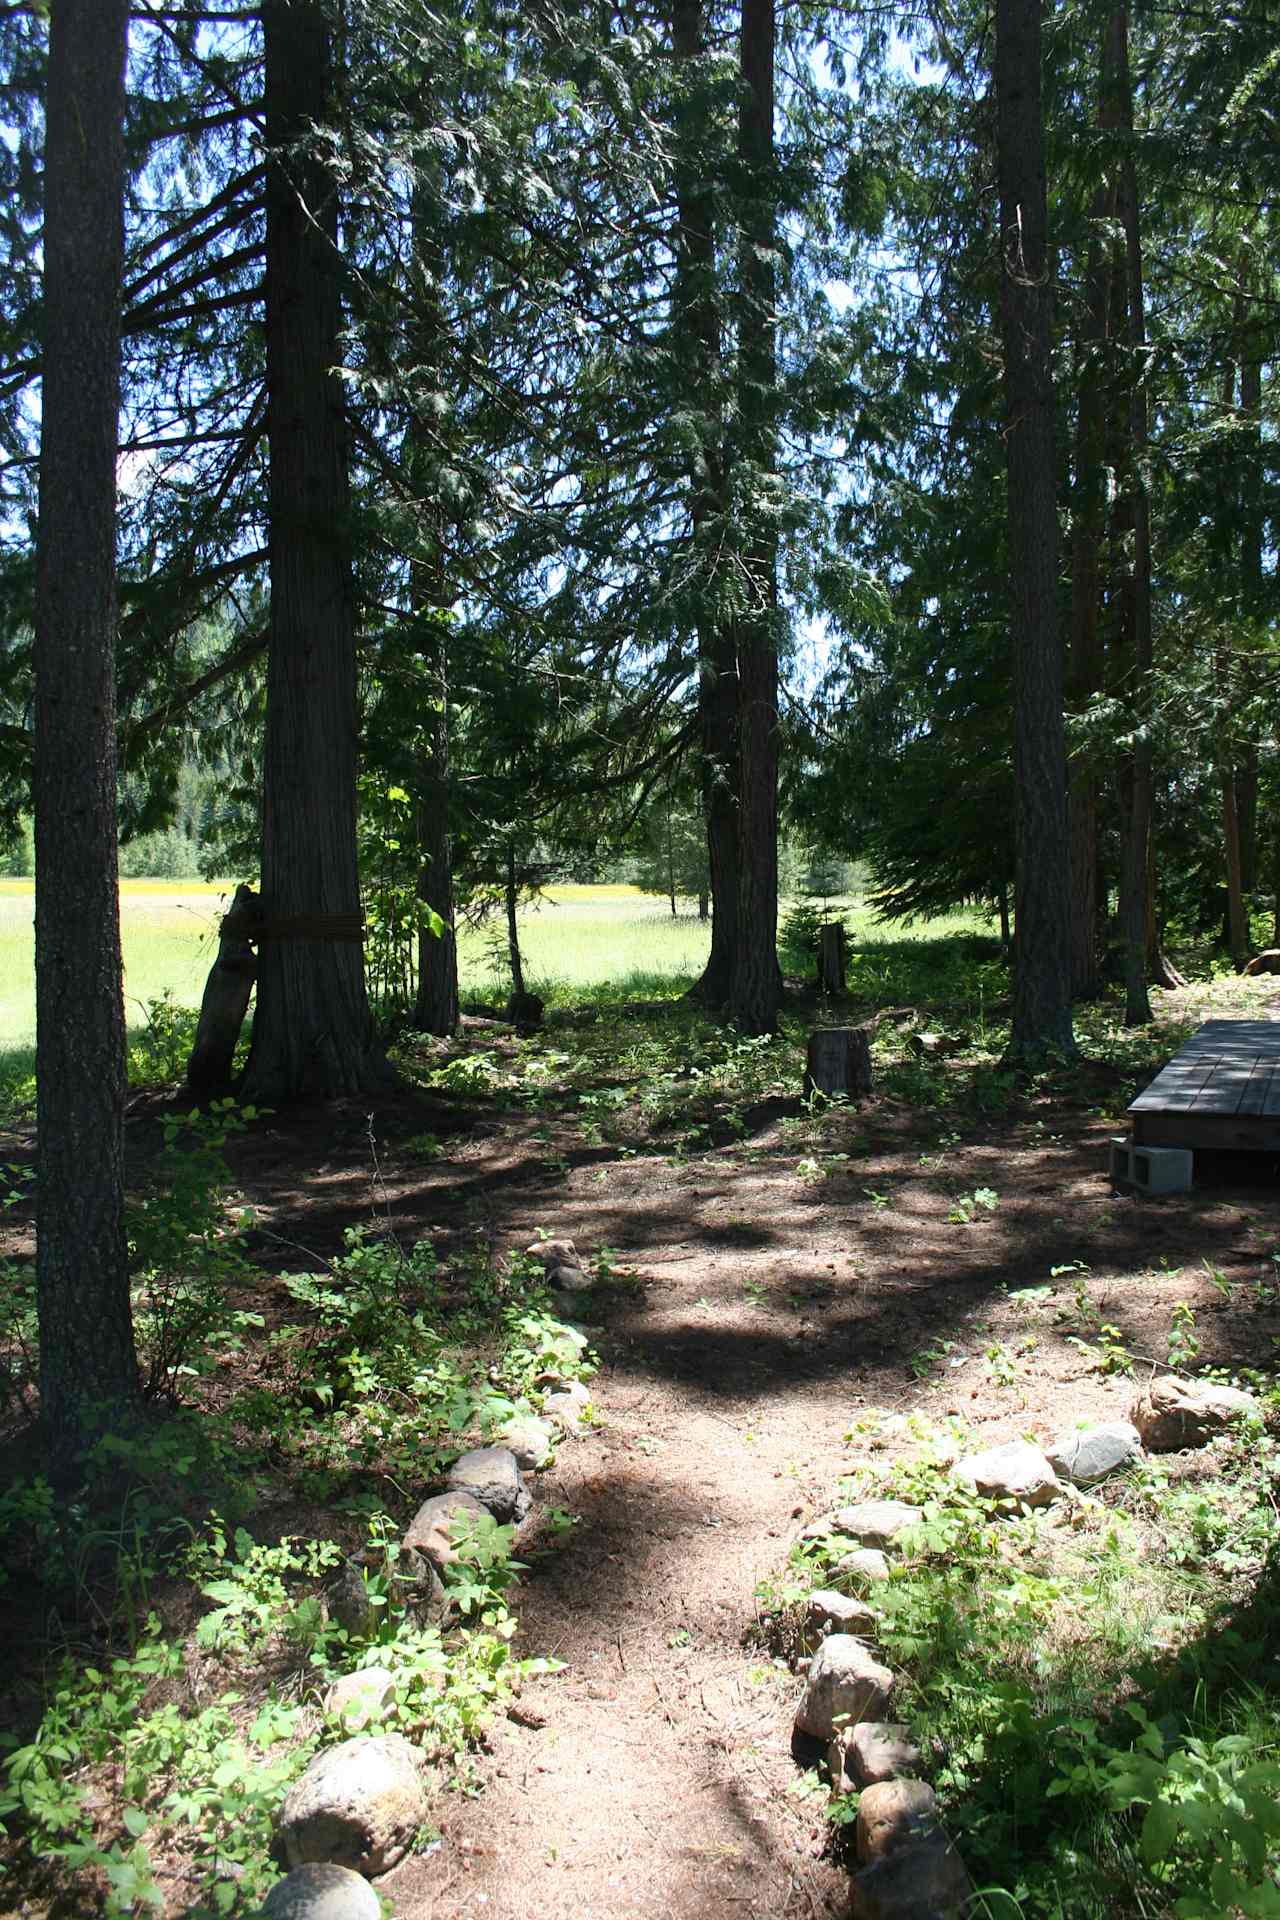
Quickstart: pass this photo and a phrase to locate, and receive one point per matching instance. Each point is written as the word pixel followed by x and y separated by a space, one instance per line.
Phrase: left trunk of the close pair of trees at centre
pixel 698 341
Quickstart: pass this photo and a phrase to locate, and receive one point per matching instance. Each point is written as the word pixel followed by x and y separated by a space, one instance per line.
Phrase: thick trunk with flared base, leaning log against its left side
pixel 312 1034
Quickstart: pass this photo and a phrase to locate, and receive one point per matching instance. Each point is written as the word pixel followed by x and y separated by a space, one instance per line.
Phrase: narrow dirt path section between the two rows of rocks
pixel 659 1781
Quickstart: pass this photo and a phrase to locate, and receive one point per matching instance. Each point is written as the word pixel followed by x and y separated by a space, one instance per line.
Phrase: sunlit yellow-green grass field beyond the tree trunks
pixel 575 940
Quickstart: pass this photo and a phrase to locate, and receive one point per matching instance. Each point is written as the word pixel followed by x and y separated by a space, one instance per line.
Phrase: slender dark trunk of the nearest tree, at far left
pixel 89 1372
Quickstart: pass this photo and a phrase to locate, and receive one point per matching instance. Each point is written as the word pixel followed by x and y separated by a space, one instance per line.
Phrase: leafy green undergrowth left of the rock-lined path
pixel 291 1431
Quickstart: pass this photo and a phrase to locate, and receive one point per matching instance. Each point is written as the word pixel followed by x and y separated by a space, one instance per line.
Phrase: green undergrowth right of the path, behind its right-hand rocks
pixel 1093 1687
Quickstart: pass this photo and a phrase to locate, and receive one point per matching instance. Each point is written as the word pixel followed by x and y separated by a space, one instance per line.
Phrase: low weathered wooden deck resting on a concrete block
pixel 1223 1090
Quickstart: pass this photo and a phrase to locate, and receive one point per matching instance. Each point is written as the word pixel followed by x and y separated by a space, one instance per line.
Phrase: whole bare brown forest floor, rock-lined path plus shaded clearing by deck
pixel 767 1278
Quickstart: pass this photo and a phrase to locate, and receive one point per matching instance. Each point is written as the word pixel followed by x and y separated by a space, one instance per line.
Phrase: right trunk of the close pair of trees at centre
pixel 757 984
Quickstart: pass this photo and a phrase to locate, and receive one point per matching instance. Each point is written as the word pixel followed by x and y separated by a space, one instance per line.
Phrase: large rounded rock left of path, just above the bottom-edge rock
pixel 358 1806
